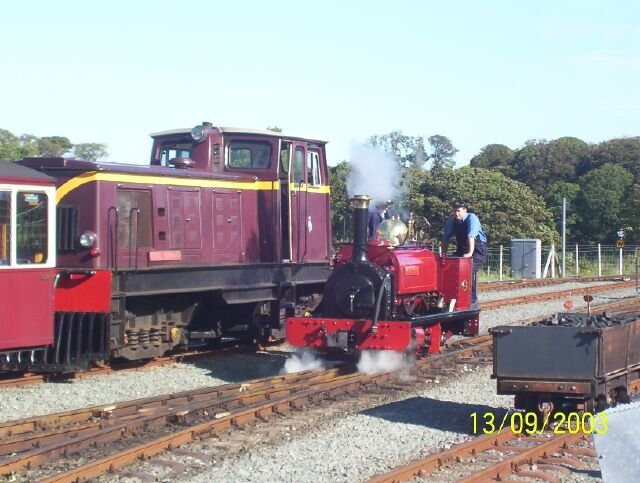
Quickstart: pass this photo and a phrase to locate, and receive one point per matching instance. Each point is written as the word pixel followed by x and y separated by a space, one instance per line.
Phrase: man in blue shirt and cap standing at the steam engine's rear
pixel 471 241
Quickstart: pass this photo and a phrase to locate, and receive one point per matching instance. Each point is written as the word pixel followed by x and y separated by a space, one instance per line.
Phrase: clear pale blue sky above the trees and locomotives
pixel 478 72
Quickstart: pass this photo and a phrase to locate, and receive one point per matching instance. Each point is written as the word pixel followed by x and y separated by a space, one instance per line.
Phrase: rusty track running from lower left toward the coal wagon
pixel 87 443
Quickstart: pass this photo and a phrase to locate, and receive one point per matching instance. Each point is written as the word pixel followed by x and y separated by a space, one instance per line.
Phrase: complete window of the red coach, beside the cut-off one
pixel 31 227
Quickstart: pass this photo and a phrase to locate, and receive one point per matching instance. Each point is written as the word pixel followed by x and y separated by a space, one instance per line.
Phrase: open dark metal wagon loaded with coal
pixel 576 362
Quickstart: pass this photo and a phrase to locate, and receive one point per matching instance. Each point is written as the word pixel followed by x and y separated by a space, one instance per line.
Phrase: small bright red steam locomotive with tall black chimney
pixel 386 295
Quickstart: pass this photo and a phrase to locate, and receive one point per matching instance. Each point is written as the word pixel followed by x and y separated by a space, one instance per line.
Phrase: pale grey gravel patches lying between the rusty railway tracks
pixel 352 447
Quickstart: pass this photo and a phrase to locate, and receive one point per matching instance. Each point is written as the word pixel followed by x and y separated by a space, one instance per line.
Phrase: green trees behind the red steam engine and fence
pixel 516 193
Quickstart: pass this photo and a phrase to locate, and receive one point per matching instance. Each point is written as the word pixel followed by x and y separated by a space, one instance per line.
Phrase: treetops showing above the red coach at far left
pixel 13 147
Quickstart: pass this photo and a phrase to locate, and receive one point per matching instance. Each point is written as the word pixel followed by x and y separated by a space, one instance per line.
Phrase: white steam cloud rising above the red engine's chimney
pixel 373 172
